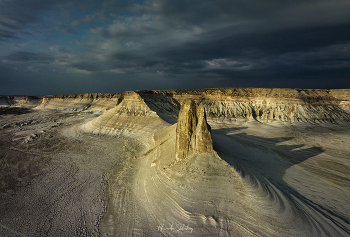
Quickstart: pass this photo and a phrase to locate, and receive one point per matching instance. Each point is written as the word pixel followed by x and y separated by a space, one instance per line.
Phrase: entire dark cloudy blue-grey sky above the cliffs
pixel 87 46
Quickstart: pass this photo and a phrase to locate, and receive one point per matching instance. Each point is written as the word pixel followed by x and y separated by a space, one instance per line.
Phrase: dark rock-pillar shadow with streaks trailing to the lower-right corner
pixel 261 159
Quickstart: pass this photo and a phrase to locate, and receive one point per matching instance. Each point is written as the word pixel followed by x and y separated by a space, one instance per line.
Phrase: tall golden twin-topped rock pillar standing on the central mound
pixel 192 132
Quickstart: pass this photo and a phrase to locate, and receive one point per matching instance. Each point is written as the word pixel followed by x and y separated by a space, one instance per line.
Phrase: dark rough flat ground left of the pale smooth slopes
pixel 53 181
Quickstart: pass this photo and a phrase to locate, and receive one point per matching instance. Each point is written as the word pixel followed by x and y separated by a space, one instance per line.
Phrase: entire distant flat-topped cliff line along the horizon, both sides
pixel 261 104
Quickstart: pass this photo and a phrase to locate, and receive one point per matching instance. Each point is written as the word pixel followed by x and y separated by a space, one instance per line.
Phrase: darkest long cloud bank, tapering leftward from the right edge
pixel 255 45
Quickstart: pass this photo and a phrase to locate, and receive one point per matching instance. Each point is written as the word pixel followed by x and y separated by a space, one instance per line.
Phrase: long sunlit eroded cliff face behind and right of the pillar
pixel 266 105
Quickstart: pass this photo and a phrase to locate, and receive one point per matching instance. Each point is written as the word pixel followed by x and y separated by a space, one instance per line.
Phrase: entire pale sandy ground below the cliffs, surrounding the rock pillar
pixel 83 174
